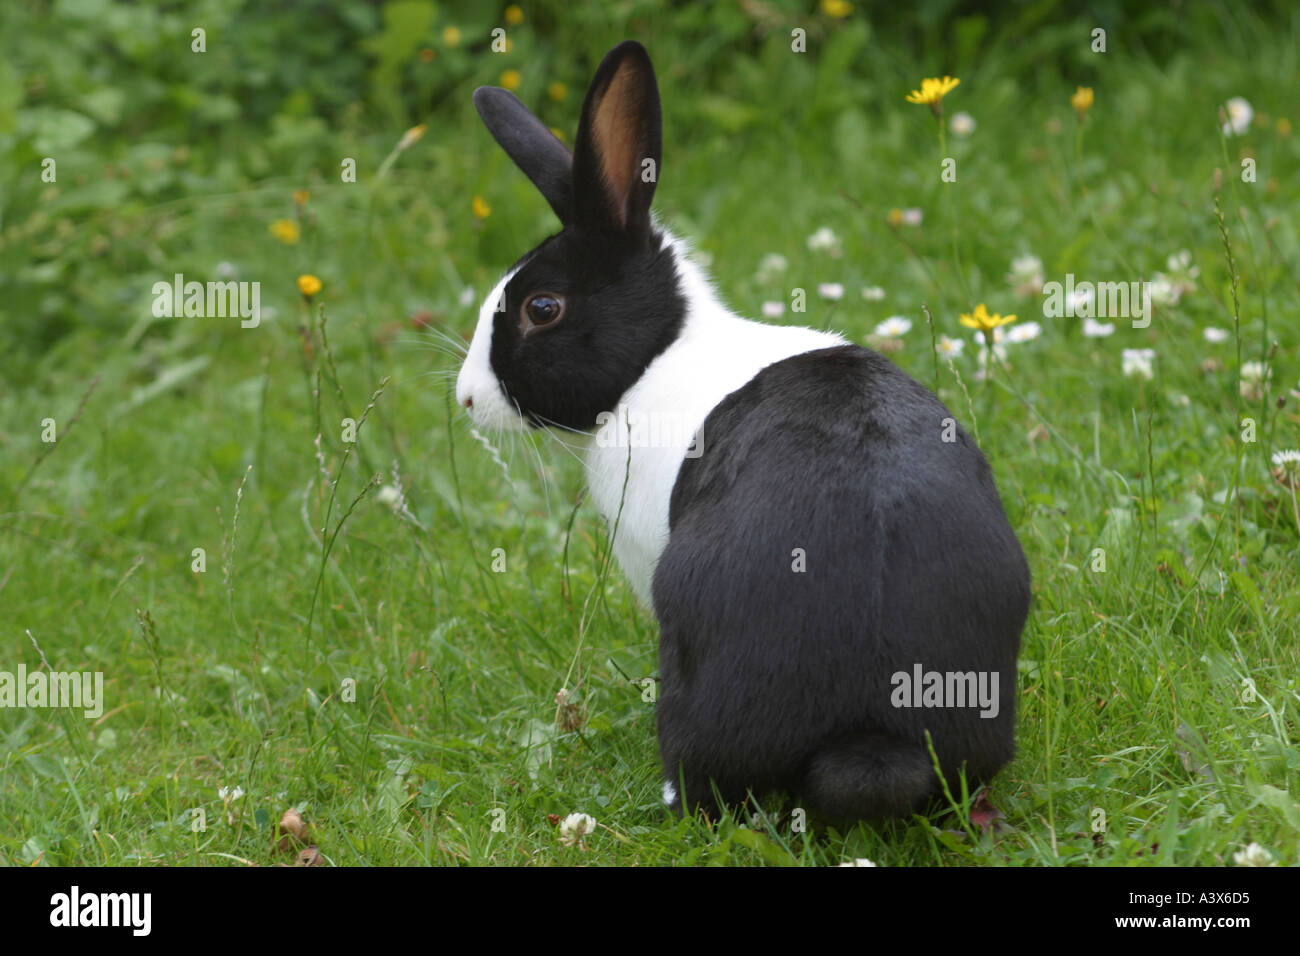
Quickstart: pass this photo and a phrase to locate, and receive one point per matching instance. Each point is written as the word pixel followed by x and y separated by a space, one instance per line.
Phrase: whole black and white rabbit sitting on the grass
pixel 833 529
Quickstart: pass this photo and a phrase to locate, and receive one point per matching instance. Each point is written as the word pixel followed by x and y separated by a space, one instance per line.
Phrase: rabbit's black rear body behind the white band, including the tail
pixel 779 680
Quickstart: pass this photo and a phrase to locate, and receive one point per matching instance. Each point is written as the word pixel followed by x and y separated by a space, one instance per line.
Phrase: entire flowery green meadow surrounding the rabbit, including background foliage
pixel 311 586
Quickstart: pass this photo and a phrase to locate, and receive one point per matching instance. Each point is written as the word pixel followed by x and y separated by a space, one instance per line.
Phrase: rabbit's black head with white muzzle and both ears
pixel 577 322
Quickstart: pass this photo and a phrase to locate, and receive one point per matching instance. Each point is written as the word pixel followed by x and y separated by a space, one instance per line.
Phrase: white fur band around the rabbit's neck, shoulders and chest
pixel 634 464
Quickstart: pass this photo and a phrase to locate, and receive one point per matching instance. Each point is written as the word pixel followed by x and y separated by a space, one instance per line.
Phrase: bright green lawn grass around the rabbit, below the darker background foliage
pixel 393 672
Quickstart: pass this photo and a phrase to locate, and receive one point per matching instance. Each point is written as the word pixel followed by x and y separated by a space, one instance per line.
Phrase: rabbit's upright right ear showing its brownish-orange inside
pixel 619 145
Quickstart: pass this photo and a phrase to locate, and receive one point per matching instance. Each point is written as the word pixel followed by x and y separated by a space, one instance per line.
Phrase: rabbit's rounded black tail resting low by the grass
pixel 870 776
